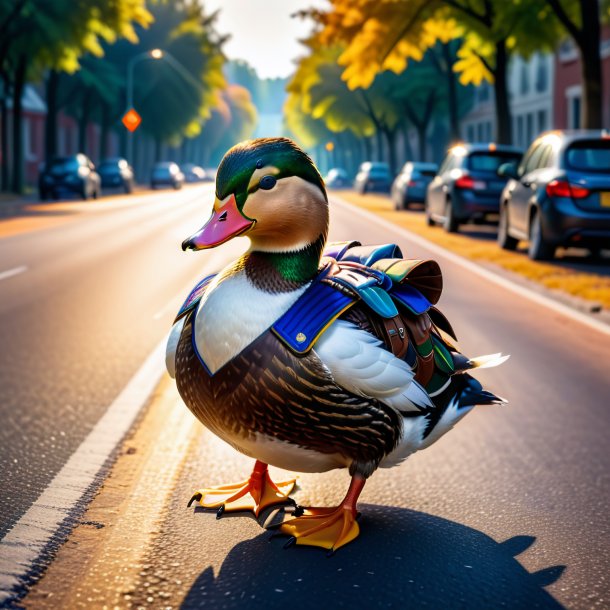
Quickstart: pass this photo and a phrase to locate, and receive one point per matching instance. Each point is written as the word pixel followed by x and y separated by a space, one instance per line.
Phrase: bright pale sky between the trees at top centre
pixel 263 33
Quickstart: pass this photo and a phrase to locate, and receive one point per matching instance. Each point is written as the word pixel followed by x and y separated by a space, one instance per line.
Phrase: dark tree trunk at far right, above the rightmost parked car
pixel 591 66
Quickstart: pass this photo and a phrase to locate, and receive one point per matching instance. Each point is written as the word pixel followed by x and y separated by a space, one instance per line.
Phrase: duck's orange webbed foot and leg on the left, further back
pixel 256 494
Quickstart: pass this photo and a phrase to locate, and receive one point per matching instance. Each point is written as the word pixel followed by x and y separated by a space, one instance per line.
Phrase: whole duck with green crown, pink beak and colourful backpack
pixel 309 356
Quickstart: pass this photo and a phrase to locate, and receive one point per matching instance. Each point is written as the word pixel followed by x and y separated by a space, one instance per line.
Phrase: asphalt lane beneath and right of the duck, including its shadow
pixel 507 510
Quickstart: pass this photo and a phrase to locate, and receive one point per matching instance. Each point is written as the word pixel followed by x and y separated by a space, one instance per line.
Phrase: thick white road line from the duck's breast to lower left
pixel 23 547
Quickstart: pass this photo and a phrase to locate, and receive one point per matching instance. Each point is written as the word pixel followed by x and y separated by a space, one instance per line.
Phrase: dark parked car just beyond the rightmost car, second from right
pixel 467 186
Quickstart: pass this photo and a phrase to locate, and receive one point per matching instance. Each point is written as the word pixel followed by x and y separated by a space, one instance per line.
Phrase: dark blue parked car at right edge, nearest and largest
pixel 559 195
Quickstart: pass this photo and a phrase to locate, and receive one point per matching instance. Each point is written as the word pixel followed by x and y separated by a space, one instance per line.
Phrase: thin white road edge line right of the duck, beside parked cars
pixel 481 271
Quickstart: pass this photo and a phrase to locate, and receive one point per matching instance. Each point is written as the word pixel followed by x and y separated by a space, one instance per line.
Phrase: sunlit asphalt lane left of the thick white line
pixel 99 291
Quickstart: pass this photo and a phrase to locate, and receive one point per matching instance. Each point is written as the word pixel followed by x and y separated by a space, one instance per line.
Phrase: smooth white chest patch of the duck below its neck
pixel 232 314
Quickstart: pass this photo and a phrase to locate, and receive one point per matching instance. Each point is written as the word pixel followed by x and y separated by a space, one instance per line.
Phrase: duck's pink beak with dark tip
pixel 226 222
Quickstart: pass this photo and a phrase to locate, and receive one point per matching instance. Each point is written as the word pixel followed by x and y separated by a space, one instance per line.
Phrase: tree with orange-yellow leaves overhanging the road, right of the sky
pixel 388 34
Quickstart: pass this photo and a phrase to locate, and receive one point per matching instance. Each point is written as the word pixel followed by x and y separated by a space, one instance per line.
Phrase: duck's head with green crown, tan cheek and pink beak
pixel 269 189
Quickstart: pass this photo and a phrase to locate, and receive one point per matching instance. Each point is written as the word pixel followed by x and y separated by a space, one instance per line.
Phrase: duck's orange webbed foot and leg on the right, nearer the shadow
pixel 329 528
